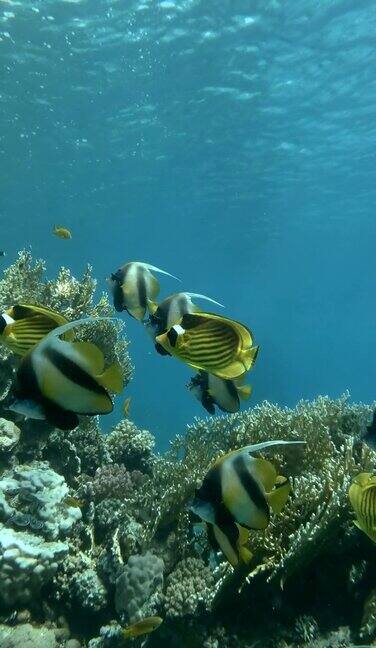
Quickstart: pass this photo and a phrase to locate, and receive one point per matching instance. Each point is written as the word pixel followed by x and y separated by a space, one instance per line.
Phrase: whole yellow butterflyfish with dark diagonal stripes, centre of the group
pixel 216 344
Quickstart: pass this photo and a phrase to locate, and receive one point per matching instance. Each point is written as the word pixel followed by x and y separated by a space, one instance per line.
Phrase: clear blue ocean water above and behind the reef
pixel 231 143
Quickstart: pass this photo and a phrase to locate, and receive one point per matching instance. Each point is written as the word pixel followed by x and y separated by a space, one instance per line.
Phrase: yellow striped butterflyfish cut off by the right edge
pixel 362 495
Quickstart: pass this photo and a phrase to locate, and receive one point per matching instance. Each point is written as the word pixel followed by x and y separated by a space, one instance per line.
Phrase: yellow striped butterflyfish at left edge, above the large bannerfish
pixel 24 325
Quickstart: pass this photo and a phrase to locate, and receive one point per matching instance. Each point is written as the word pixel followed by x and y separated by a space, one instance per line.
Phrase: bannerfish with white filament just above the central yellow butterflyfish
pixel 170 311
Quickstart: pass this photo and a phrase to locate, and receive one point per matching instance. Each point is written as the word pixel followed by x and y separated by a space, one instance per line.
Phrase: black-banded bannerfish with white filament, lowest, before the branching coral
pixel 243 488
